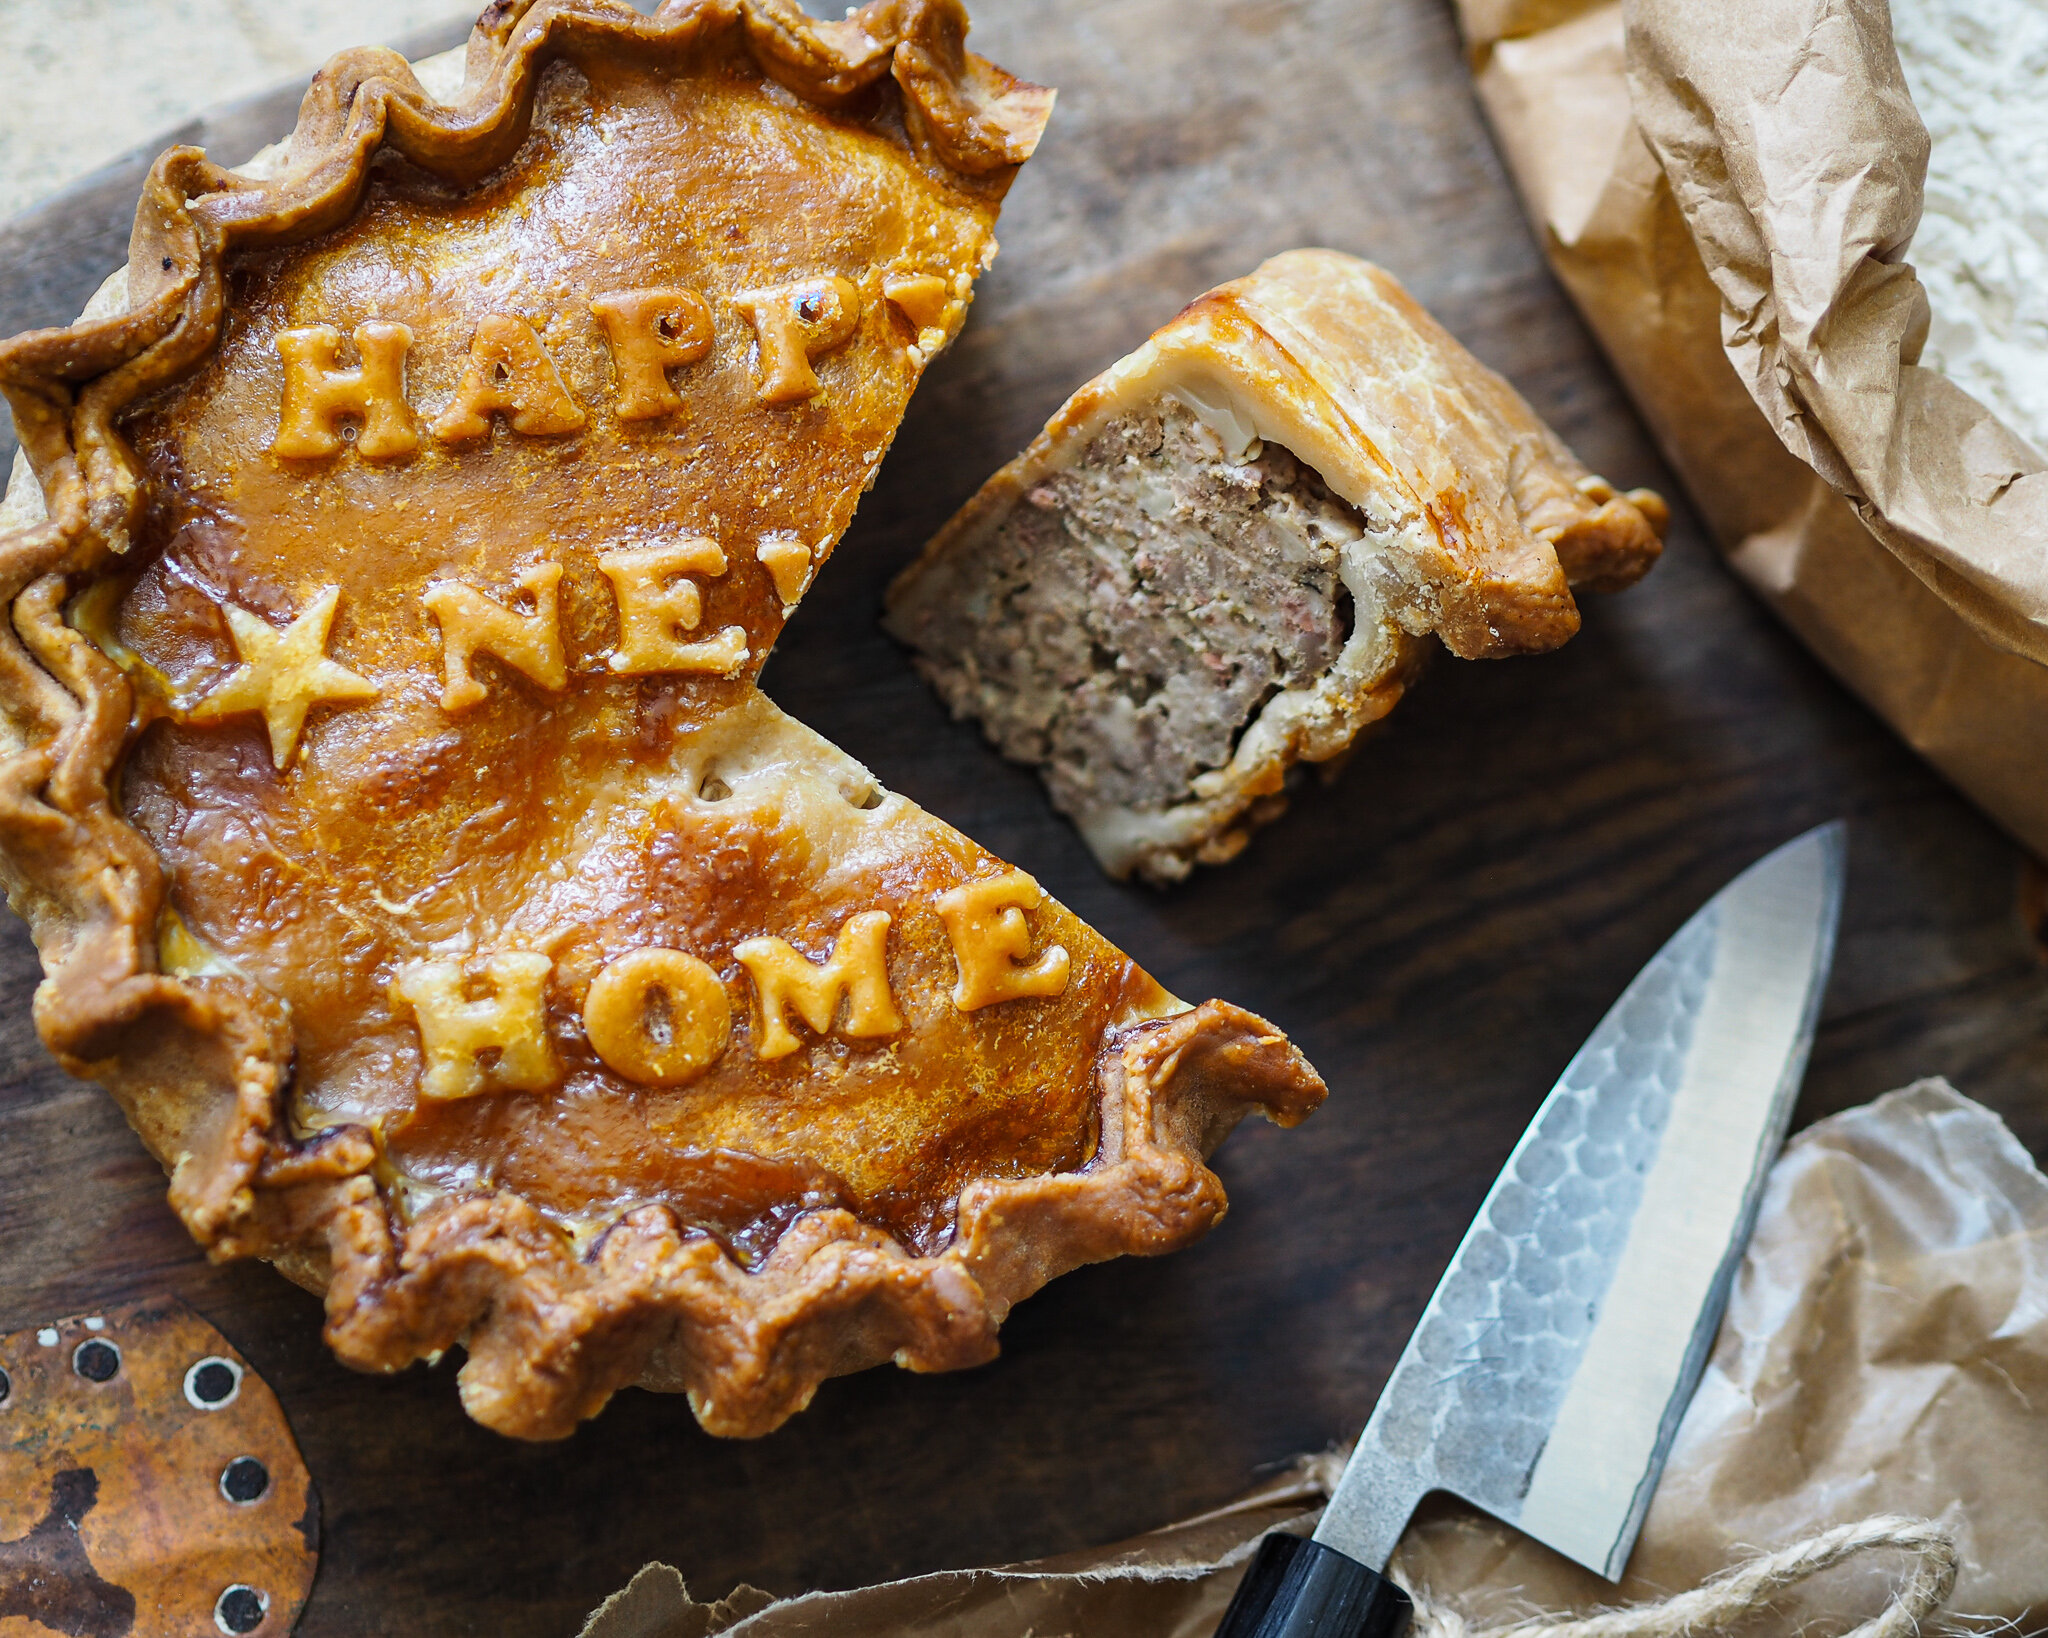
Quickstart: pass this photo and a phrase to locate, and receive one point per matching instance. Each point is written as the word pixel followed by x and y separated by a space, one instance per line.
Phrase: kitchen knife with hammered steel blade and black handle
pixel 1549 1373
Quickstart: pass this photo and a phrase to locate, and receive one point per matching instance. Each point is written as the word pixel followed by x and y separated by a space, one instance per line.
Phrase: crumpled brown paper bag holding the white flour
pixel 1887 517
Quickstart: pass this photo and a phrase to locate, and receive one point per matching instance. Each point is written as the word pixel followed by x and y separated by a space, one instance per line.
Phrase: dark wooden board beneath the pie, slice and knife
pixel 1439 929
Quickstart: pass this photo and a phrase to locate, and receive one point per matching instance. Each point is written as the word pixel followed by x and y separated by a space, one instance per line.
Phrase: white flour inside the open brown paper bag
pixel 1979 77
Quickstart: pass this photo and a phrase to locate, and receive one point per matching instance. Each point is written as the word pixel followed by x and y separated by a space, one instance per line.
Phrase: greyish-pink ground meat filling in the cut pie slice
pixel 1138 609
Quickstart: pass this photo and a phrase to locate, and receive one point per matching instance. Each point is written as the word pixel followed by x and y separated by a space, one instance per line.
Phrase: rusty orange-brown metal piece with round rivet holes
pixel 148 1483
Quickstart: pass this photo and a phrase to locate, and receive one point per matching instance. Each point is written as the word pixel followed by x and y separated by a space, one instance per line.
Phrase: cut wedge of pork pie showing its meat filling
pixel 1226 554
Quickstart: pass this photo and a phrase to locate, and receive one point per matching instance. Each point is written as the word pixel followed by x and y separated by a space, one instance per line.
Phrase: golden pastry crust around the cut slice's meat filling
pixel 1486 523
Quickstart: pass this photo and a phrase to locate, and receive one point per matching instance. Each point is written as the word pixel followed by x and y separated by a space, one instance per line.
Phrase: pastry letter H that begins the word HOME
pixel 454 1033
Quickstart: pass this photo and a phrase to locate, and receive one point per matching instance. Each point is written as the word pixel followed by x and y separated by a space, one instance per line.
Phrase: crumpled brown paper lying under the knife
pixel 1885 1352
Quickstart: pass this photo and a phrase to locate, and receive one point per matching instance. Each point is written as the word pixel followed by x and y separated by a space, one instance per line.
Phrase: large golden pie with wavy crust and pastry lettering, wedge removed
pixel 388 789
